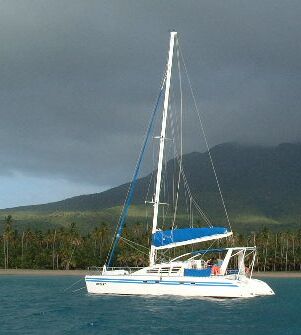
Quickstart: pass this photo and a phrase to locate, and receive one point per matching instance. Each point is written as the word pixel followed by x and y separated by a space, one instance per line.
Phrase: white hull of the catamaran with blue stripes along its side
pixel 219 287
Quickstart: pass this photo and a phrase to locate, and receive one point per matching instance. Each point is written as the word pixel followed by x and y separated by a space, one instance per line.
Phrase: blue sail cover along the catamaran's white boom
pixel 164 239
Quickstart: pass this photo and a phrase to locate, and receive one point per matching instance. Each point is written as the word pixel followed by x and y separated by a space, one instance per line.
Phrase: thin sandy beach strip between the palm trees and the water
pixel 58 273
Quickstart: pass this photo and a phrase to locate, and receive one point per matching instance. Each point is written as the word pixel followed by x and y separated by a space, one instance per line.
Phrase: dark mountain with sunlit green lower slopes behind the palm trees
pixel 261 187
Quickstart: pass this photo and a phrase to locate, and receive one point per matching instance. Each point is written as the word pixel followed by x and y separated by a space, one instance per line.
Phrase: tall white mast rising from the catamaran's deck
pixel 173 35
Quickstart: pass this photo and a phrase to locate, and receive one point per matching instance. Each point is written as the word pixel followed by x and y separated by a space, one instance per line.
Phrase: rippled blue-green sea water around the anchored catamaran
pixel 39 305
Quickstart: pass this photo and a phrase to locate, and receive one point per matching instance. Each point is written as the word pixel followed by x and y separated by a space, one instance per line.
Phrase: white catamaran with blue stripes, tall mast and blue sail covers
pixel 191 274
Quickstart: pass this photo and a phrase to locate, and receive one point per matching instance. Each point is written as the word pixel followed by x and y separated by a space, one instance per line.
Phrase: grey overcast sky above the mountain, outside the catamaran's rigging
pixel 78 81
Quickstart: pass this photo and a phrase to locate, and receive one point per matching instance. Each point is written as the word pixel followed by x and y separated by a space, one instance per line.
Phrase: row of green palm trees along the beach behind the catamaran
pixel 67 248
